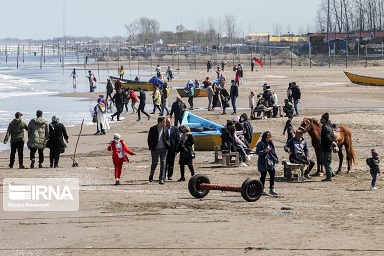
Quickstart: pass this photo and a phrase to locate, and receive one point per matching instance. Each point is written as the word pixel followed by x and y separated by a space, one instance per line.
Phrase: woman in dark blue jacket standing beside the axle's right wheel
pixel 267 161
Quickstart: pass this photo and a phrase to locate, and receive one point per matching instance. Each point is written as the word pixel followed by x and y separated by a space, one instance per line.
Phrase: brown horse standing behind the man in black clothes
pixel 313 128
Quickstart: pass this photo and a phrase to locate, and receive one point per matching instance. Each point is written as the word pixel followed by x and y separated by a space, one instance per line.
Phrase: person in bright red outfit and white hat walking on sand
pixel 119 155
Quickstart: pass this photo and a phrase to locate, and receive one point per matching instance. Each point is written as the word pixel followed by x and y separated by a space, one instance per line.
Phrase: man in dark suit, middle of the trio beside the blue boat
pixel 174 139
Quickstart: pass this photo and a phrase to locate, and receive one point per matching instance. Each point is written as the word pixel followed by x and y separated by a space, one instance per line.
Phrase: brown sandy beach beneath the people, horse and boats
pixel 342 217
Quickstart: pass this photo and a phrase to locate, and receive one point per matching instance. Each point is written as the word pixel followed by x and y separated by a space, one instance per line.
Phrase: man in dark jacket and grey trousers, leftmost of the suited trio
pixel 158 143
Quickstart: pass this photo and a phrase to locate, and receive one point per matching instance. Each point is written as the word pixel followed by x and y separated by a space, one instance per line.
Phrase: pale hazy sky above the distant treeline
pixel 46 19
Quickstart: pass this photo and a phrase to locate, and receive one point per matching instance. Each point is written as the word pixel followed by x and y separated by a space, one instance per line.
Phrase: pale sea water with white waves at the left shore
pixel 32 87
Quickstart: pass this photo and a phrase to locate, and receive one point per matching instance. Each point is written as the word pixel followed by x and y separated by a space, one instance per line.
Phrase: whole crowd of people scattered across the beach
pixel 165 140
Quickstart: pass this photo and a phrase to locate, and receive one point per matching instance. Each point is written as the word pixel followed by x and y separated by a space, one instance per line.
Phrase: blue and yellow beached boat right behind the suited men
pixel 207 133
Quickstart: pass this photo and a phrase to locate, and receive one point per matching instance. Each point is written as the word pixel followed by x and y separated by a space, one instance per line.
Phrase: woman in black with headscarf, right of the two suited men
pixel 186 144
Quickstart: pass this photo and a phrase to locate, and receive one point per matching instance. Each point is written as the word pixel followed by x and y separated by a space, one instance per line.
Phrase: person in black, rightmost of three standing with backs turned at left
pixel 55 142
